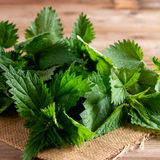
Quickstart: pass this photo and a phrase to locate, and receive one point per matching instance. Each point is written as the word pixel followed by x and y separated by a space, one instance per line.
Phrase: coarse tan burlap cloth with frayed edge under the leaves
pixel 102 148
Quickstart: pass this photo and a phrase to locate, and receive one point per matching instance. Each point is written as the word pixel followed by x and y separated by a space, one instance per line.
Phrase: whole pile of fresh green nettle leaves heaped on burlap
pixel 67 91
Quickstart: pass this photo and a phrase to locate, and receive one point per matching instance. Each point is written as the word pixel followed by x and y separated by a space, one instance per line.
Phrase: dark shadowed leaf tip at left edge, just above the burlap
pixel 5 102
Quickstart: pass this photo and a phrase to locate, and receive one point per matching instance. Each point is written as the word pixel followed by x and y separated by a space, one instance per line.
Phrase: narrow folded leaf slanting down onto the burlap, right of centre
pixel 118 117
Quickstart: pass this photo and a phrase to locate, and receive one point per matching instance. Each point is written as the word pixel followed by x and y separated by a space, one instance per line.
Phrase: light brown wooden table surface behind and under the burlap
pixel 111 24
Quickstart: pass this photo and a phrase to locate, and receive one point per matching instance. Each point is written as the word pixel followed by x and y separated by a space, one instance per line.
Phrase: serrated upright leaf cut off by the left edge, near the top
pixel 8 36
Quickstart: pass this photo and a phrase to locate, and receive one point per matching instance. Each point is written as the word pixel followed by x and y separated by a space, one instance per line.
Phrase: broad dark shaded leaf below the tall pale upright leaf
pixel 46 54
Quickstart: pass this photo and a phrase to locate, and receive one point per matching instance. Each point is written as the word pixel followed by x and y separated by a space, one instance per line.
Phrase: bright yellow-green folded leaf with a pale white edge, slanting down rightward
pixel 103 64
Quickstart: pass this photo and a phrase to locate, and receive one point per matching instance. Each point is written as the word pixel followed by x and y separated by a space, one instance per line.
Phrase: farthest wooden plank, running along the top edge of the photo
pixel 117 4
